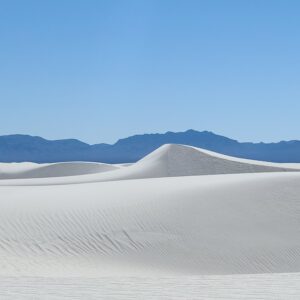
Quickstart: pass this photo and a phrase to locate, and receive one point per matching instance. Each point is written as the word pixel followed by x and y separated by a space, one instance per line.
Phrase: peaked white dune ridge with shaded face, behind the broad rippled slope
pixel 166 161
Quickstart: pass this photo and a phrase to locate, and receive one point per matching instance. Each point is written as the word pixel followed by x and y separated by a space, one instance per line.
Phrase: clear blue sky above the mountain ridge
pixel 100 70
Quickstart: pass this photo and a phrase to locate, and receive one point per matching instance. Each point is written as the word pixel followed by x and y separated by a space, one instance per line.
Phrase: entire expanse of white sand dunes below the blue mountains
pixel 182 223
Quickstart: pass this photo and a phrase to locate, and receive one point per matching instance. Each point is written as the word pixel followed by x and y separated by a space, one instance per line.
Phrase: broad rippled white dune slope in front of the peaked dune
pixel 223 224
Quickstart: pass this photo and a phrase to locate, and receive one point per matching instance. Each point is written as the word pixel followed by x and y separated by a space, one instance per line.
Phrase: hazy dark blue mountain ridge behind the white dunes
pixel 20 148
